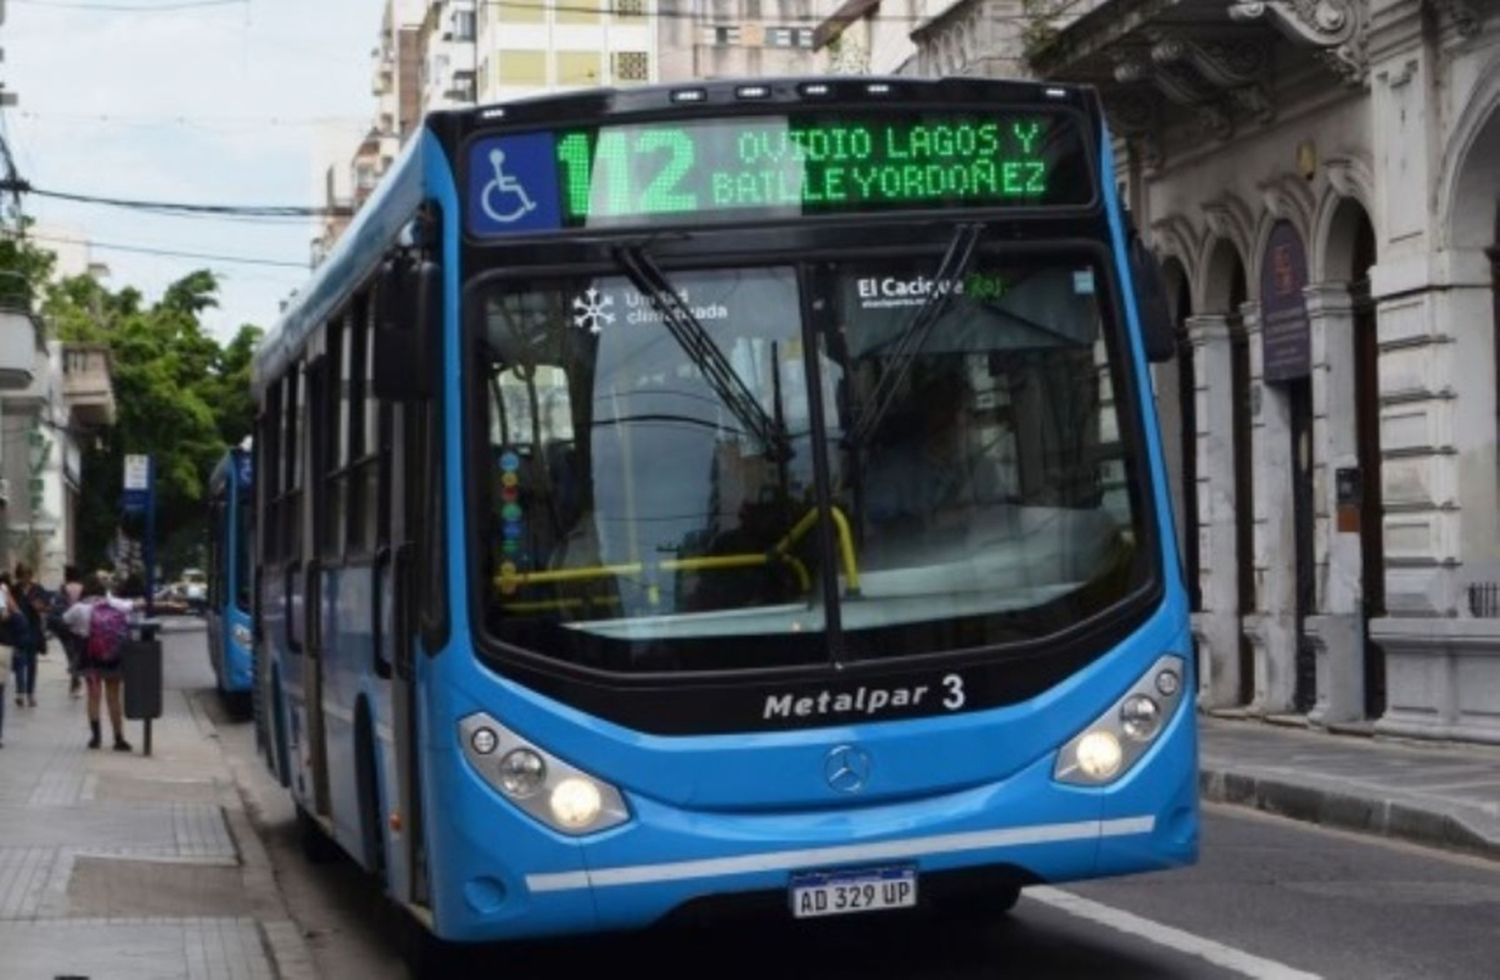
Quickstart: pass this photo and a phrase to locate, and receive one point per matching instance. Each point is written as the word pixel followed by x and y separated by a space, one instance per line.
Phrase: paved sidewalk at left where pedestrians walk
pixel 125 867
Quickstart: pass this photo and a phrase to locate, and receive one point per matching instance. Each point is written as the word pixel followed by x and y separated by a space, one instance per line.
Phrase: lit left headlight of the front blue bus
pixel 556 793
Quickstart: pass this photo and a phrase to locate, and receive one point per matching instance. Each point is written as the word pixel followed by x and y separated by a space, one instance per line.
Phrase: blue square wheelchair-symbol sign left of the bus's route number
pixel 514 185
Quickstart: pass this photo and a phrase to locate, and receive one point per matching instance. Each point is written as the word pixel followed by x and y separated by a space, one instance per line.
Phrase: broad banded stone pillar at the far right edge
pixel 1442 526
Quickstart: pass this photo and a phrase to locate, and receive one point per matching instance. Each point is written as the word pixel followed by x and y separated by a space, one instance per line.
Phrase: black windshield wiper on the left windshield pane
pixel 691 335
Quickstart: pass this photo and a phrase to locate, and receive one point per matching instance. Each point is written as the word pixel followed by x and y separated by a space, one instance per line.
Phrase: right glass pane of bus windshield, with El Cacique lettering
pixel 992 478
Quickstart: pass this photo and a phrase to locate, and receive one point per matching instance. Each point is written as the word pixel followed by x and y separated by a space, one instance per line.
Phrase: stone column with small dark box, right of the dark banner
pixel 1339 630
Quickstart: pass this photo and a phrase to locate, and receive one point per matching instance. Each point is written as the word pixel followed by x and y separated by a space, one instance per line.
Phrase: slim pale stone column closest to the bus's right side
pixel 1217 627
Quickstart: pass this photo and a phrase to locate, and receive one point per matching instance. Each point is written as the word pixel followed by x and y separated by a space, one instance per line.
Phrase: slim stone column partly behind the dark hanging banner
pixel 1271 630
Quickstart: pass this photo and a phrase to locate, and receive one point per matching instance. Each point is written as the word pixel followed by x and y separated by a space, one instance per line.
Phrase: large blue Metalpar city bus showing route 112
pixel 692 498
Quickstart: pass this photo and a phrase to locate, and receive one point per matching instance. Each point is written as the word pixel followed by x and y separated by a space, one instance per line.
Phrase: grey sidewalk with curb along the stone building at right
pixel 1441 795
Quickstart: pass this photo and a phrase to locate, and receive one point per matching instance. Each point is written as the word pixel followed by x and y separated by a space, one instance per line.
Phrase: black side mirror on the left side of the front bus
pixel 409 334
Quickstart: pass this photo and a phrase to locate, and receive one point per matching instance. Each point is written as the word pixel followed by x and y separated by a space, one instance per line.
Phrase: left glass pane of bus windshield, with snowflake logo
pixel 626 492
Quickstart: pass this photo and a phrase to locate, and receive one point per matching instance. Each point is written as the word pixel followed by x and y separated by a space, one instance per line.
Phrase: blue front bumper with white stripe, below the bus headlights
pixel 518 879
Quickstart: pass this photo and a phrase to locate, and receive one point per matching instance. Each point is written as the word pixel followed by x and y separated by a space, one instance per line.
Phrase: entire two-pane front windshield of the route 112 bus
pixel 652 490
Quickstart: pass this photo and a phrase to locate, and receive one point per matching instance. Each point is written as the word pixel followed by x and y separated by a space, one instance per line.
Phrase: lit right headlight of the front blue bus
pixel 1108 748
